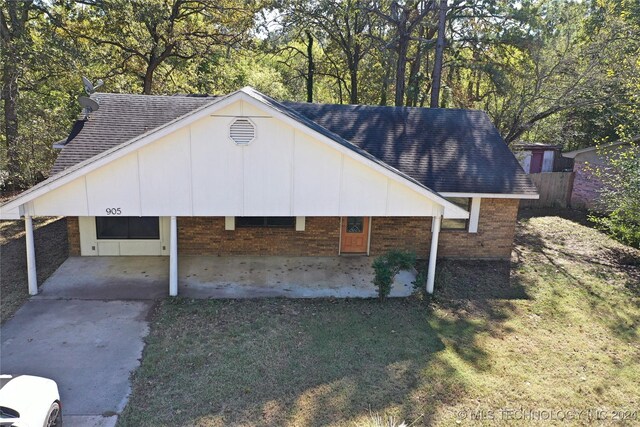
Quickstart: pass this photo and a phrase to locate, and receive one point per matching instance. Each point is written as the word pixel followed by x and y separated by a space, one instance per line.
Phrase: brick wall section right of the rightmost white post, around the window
pixel 494 239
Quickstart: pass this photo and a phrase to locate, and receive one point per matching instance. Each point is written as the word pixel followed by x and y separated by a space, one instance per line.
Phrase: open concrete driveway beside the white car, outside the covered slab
pixel 89 347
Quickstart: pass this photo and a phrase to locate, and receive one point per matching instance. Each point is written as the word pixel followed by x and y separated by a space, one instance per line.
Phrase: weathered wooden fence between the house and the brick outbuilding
pixel 554 188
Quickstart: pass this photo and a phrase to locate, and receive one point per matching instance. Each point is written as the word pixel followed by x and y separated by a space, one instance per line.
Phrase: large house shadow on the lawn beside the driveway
pixel 288 362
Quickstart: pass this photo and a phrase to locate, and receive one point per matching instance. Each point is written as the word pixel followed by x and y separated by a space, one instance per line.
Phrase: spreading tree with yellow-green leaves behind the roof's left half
pixel 147 34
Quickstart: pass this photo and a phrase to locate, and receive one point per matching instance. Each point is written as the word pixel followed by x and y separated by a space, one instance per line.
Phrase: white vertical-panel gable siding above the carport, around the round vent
pixel 198 170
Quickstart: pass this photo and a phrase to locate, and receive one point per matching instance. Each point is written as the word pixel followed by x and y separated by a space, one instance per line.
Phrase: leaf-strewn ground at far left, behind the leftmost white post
pixel 50 236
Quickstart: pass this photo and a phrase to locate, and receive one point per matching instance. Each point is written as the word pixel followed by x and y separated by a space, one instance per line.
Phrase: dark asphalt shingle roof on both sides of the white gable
pixel 447 150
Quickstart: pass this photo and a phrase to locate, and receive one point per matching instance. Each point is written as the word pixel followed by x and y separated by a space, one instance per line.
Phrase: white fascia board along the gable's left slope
pixel 117 152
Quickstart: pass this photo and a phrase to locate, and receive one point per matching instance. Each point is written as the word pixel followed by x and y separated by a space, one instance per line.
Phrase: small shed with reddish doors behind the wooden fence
pixel 538 157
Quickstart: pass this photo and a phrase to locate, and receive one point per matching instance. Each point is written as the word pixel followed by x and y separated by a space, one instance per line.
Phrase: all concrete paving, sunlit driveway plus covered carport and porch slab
pixel 86 328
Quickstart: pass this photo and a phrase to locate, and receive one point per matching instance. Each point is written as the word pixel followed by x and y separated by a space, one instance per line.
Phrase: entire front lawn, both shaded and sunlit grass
pixel 556 329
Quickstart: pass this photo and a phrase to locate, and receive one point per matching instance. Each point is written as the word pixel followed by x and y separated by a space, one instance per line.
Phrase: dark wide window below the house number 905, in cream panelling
pixel 127 227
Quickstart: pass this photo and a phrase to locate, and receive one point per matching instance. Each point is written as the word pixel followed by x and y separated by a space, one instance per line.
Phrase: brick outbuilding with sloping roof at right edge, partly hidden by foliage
pixel 586 184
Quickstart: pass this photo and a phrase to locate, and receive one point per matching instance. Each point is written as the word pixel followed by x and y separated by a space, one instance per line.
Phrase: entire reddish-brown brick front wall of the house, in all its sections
pixel 207 236
